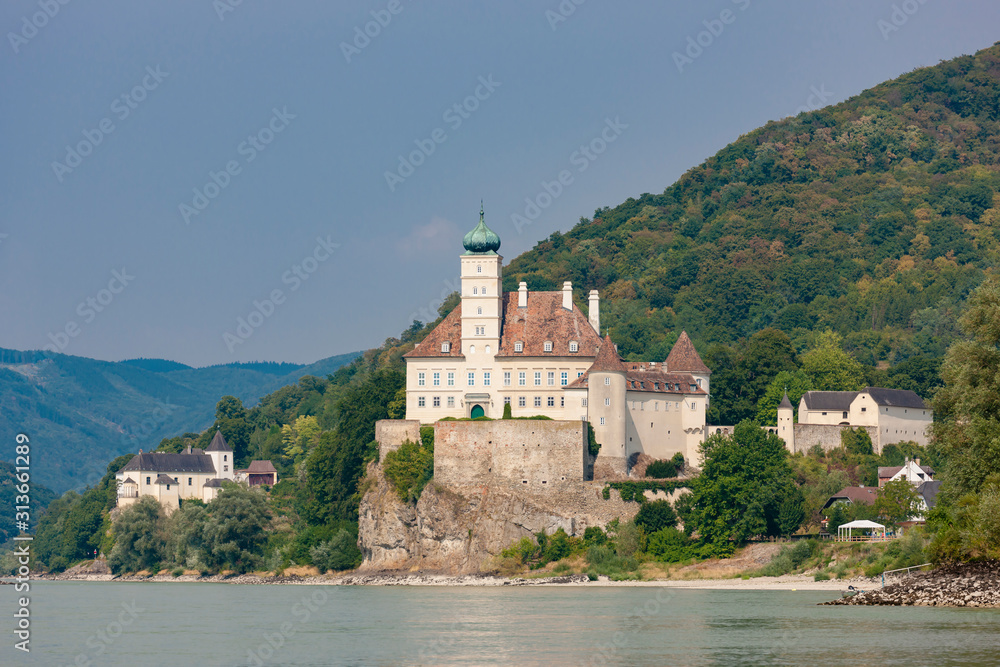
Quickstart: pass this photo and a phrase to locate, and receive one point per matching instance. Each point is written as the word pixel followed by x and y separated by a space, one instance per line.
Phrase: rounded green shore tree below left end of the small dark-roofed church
pixel 139 538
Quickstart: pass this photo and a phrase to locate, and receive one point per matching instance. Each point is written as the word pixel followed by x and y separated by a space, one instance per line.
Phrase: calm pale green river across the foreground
pixel 180 624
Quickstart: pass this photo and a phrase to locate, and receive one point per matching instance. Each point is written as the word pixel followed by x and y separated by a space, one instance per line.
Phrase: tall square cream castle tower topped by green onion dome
pixel 482 301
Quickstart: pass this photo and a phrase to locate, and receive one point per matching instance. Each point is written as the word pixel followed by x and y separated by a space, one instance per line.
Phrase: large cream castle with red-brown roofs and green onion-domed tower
pixel 538 353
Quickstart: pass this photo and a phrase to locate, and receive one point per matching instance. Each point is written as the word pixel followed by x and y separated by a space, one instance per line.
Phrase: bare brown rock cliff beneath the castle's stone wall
pixel 459 529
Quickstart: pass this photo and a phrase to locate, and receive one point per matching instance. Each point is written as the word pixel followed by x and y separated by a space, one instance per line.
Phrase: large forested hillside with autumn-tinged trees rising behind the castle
pixel 874 218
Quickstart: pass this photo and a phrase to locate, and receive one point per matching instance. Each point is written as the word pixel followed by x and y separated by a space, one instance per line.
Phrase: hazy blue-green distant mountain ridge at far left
pixel 81 413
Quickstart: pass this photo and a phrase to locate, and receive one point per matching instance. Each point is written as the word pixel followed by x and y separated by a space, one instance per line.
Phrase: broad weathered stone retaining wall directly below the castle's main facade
pixel 532 453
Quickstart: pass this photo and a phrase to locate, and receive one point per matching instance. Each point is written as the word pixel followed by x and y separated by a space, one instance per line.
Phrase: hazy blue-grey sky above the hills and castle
pixel 168 164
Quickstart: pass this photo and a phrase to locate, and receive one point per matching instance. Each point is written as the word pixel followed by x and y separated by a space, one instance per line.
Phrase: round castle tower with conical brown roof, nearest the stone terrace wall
pixel 607 410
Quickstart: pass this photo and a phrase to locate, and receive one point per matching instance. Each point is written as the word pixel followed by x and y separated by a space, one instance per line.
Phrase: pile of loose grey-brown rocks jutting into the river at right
pixel 957 585
